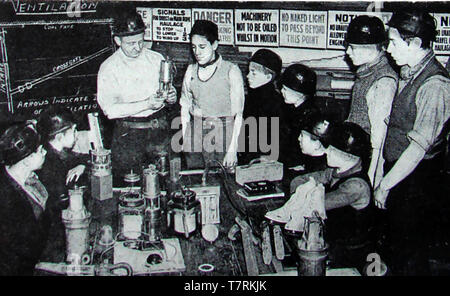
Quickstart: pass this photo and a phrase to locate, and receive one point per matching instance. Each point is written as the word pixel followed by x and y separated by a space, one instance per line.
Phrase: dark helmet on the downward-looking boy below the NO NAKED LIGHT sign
pixel 300 78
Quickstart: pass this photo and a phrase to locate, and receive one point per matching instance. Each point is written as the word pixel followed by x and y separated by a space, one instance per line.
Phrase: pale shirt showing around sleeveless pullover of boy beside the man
pixel 236 92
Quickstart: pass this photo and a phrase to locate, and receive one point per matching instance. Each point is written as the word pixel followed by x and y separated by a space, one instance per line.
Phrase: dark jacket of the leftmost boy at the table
pixel 22 234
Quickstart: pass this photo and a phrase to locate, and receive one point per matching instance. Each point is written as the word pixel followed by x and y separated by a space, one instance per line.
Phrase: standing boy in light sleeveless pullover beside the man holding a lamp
pixel 212 102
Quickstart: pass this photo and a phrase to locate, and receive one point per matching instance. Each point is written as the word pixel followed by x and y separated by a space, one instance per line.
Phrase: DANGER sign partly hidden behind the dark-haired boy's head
pixel 223 18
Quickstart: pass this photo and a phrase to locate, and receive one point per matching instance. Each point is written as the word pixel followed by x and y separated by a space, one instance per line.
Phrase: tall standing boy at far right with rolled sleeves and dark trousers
pixel 415 142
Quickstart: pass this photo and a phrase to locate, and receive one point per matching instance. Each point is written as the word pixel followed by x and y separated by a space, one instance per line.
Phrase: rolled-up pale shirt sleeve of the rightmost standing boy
pixel 433 110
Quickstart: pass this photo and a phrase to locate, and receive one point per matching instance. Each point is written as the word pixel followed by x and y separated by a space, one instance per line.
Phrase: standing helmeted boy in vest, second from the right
pixel 375 85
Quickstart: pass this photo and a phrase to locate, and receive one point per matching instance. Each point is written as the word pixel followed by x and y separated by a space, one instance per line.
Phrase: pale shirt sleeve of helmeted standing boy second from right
pixel 379 103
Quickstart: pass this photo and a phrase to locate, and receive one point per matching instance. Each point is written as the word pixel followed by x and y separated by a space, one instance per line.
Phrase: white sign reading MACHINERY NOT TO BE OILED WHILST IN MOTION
pixel 256 27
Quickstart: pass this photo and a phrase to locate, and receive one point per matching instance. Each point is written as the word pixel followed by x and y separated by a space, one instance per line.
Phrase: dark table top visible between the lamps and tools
pixel 226 256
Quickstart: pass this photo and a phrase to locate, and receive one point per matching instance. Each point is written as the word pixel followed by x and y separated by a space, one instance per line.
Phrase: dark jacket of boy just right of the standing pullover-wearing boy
pixel 262 102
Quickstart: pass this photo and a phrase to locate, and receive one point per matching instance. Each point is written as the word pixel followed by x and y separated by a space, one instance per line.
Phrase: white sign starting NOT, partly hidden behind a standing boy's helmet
pixel 338 22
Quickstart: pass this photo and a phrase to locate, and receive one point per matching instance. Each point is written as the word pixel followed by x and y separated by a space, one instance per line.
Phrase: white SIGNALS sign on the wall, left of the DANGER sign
pixel 171 25
